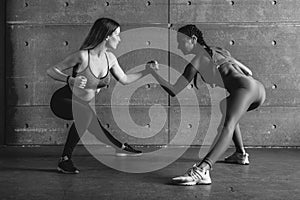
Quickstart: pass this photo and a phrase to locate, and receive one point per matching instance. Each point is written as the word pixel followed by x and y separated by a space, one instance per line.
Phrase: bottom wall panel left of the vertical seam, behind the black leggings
pixel 37 125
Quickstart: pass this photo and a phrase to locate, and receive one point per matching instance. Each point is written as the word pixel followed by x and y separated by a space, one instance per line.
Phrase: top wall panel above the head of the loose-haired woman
pixel 65 12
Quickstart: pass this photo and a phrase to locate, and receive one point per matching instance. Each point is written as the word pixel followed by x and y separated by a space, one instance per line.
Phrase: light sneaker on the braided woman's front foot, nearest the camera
pixel 194 176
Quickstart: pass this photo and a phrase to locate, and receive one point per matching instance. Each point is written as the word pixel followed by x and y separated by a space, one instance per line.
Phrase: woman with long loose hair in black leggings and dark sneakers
pixel 91 65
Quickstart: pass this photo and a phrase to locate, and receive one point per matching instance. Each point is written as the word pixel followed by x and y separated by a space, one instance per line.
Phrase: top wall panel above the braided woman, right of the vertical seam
pixel 211 11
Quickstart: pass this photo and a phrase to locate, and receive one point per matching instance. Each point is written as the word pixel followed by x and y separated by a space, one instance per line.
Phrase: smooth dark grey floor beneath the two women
pixel 30 173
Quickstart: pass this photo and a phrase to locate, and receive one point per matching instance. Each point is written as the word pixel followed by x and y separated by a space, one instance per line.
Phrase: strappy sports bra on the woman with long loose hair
pixel 93 82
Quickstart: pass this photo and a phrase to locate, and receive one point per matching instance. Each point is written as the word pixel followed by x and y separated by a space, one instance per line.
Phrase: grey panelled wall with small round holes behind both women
pixel 263 34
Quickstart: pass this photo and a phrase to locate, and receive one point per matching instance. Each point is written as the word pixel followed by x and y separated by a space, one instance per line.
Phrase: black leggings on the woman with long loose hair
pixel 69 107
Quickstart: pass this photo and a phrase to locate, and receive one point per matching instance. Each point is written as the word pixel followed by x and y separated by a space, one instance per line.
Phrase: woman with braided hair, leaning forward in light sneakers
pixel 245 94
